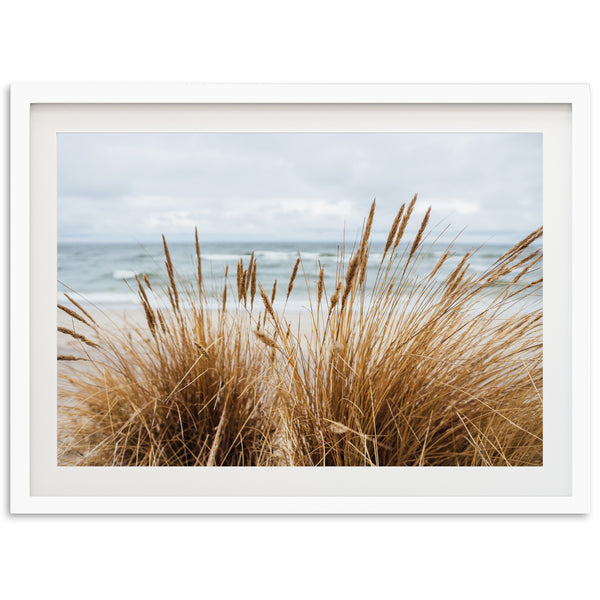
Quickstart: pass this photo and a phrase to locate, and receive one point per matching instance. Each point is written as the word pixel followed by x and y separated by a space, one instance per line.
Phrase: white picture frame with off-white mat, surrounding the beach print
pixel 39 487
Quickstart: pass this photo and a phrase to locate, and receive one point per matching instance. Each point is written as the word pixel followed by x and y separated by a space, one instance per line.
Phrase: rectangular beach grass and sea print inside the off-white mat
pixel 300 299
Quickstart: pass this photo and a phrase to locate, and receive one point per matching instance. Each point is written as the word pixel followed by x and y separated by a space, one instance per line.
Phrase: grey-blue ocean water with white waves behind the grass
pixel 103 274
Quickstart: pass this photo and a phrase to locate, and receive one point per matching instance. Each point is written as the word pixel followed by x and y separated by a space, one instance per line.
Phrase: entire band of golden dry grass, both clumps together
pixel 423 370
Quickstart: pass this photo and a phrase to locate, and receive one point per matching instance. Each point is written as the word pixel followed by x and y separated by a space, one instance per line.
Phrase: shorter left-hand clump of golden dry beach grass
pixel 185 389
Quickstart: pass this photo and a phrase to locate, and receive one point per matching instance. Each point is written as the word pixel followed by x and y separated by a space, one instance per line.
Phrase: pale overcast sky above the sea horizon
pixel 128 187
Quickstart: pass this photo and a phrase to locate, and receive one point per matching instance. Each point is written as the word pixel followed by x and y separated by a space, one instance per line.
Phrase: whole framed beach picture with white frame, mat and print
pixel 300 298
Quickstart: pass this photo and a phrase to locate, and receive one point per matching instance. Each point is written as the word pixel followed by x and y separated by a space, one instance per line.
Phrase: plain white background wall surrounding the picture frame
pixel 279 557
